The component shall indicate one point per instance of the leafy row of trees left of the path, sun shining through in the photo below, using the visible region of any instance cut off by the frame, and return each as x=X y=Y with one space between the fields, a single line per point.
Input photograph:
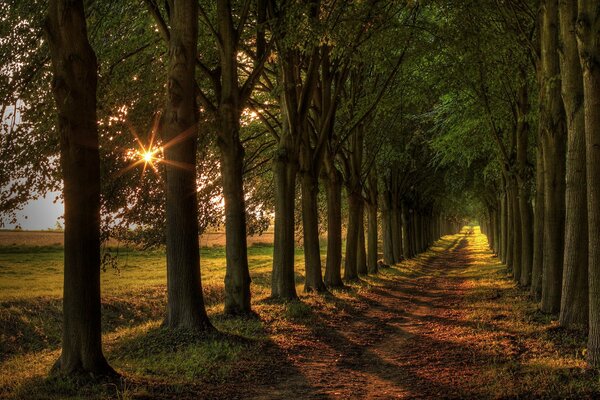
x=258 y=84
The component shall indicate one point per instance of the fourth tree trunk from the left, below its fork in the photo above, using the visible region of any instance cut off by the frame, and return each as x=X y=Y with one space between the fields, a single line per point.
x=285 y=168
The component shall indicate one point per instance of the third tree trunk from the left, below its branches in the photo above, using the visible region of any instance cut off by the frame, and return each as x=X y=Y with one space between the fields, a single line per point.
x=237 y=275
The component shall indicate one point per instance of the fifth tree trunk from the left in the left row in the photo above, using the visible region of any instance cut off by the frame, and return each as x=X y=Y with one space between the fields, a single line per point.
x=310 y=223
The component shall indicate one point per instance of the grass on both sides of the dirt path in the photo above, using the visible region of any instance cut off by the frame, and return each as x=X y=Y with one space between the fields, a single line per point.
x=528 y=355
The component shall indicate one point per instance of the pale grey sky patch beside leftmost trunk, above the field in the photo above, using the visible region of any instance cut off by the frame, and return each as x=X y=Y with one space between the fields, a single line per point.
x=38 y=214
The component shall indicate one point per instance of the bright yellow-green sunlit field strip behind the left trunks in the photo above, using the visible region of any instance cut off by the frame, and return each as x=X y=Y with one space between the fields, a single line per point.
x=33 y=271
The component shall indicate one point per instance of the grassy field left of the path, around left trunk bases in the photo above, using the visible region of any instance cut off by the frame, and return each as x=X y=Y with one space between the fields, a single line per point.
x=133 y=304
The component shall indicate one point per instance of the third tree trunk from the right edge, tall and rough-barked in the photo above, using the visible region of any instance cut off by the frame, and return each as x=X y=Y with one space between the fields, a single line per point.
x=552 y=120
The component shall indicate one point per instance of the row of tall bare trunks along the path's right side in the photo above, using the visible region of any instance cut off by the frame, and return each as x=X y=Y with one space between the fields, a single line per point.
x=543 y=218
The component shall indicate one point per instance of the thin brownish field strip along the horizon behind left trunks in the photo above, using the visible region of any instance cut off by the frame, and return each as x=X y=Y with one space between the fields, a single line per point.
x=50 y=238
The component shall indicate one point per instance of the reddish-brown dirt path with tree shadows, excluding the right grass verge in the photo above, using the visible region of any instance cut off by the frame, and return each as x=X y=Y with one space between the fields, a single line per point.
x=407 y=338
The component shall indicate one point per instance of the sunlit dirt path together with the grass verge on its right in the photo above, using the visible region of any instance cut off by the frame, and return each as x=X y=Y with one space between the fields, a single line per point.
x=446 y=325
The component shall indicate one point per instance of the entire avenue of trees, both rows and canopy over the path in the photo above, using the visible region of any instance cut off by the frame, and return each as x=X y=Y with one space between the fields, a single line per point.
x=392 y=122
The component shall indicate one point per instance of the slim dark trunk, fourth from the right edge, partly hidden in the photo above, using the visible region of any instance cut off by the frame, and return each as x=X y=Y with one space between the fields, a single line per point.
x=538 y=227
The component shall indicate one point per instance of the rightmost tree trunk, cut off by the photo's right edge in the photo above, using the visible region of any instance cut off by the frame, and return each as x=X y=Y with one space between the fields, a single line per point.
x=588 y=26
